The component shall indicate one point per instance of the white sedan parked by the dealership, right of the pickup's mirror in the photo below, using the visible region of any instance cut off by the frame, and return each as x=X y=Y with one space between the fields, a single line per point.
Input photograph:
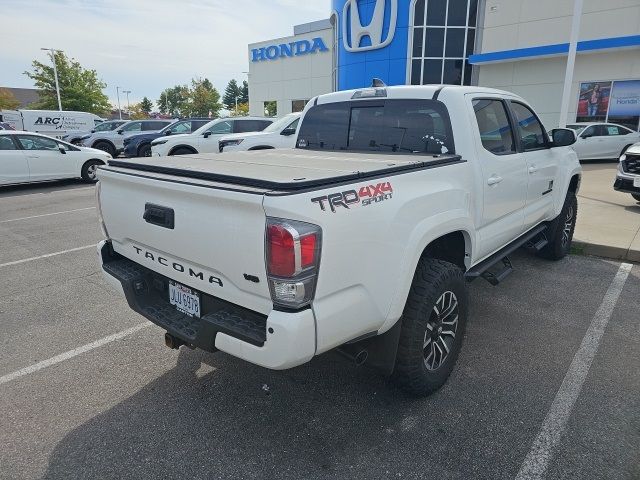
x=602 y=141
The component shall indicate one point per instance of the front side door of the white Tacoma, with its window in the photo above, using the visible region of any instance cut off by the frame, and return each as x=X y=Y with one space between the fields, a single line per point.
x=542 y=163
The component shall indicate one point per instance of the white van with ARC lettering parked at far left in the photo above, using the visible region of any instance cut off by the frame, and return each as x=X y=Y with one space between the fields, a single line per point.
x=50 y=122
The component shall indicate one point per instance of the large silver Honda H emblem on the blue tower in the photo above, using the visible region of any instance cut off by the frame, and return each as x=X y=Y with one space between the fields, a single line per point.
x=352 y=37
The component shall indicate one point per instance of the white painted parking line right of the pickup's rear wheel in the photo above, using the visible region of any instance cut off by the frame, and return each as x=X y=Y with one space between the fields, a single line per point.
x=537 y=460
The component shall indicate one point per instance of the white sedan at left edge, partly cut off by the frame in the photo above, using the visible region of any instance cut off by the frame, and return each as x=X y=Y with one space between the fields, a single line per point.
x=32 y=157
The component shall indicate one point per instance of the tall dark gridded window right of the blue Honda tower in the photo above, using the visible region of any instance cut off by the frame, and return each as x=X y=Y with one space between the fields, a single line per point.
x=443 y=37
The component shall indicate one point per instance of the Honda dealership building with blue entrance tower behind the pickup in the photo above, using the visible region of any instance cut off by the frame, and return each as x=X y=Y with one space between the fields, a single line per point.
x=520 y=46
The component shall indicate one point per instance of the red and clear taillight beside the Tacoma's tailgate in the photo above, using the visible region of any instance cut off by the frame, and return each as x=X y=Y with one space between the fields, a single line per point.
x=293 y=258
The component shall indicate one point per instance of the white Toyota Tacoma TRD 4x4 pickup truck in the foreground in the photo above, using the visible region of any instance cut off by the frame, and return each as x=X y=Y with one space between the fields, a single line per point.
x=362 y=238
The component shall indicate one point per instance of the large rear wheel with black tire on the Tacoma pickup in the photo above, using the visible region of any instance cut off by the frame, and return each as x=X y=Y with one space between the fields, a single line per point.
x=420 y=367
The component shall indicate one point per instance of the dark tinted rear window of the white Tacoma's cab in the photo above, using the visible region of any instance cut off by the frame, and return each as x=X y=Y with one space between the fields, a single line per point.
x=403 y=126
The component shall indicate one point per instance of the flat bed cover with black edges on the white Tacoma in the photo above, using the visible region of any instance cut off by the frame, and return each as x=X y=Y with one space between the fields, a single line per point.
x=282 y=170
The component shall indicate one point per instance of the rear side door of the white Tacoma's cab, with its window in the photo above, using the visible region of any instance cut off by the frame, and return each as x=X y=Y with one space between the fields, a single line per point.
x=504 y=175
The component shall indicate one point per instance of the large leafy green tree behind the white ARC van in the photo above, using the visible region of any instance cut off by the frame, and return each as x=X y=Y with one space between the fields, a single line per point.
x=80 y=89
